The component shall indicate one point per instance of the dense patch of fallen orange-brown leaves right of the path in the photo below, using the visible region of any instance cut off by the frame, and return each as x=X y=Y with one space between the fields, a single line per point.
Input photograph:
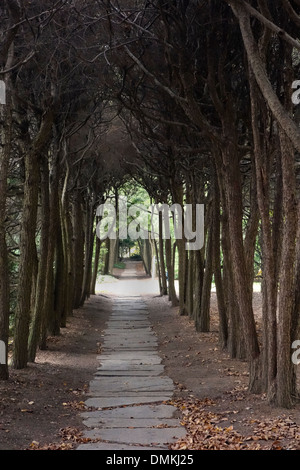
x=205 y=431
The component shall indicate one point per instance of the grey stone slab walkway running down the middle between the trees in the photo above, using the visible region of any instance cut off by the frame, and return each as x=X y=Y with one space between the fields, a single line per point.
x=129 y=389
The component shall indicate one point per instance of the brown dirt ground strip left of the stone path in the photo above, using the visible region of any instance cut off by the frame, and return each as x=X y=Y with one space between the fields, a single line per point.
x=40 y=405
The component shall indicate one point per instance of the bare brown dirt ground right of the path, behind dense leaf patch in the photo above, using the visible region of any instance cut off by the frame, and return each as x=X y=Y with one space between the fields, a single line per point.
x=206 y=375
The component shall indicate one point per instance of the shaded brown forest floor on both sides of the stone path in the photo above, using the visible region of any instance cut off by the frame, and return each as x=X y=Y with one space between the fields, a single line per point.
x=40 y=406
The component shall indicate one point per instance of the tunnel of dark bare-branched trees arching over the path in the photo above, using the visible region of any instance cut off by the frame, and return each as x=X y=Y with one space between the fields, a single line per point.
x=193 y=101
